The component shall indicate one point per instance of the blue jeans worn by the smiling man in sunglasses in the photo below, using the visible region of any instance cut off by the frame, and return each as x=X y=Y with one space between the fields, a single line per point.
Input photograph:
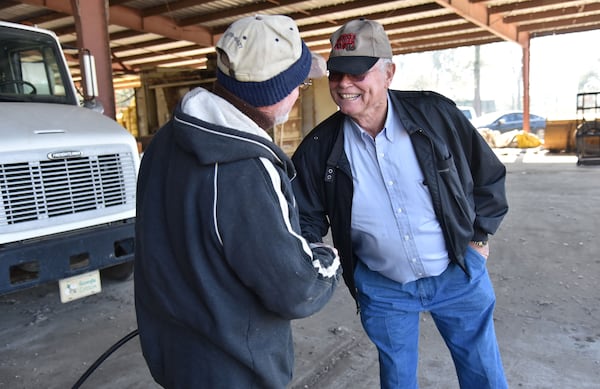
x=461 y=308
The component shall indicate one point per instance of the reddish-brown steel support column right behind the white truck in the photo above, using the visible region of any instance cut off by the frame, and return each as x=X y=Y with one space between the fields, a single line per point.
x=91 y=23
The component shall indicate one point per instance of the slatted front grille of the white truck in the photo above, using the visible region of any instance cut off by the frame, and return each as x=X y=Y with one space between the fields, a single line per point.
x=46 y=189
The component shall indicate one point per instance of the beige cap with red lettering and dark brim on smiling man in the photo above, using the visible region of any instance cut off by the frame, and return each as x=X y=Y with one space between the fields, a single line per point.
x=357 y=45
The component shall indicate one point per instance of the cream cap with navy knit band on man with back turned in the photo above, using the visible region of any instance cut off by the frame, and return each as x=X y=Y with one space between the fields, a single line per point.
x=262 y=59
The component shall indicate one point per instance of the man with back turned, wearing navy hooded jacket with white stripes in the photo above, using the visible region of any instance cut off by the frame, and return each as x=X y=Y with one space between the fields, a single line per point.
x=220 y=266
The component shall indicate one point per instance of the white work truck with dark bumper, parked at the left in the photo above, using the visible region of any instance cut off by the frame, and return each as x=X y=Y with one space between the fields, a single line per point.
x=67 y=173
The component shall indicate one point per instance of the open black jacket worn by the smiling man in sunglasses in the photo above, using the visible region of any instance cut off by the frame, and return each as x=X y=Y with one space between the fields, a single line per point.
x=464 y=176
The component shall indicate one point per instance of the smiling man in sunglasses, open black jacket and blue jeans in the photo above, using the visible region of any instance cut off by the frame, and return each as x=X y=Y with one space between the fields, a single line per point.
x=411 y=192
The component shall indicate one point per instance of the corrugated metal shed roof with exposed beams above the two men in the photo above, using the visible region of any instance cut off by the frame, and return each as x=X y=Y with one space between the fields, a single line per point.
x=146 y=34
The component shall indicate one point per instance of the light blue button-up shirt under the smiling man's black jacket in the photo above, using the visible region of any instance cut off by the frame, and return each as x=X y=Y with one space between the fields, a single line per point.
x=394 y=228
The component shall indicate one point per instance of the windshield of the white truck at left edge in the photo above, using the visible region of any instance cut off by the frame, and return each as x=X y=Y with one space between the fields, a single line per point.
x=31 y=68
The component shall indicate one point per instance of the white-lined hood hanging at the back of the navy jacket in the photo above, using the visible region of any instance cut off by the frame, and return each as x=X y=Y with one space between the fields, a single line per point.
x=215 y=131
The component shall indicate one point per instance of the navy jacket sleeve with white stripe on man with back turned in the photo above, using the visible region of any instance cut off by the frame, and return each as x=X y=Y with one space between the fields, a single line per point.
x=258 y=224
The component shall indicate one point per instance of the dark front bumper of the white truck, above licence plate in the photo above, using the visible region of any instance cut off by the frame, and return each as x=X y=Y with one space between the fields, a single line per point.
x=38 y=261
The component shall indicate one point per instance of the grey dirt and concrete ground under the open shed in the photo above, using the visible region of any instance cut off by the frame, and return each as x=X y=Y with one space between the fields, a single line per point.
x=544 y=263
